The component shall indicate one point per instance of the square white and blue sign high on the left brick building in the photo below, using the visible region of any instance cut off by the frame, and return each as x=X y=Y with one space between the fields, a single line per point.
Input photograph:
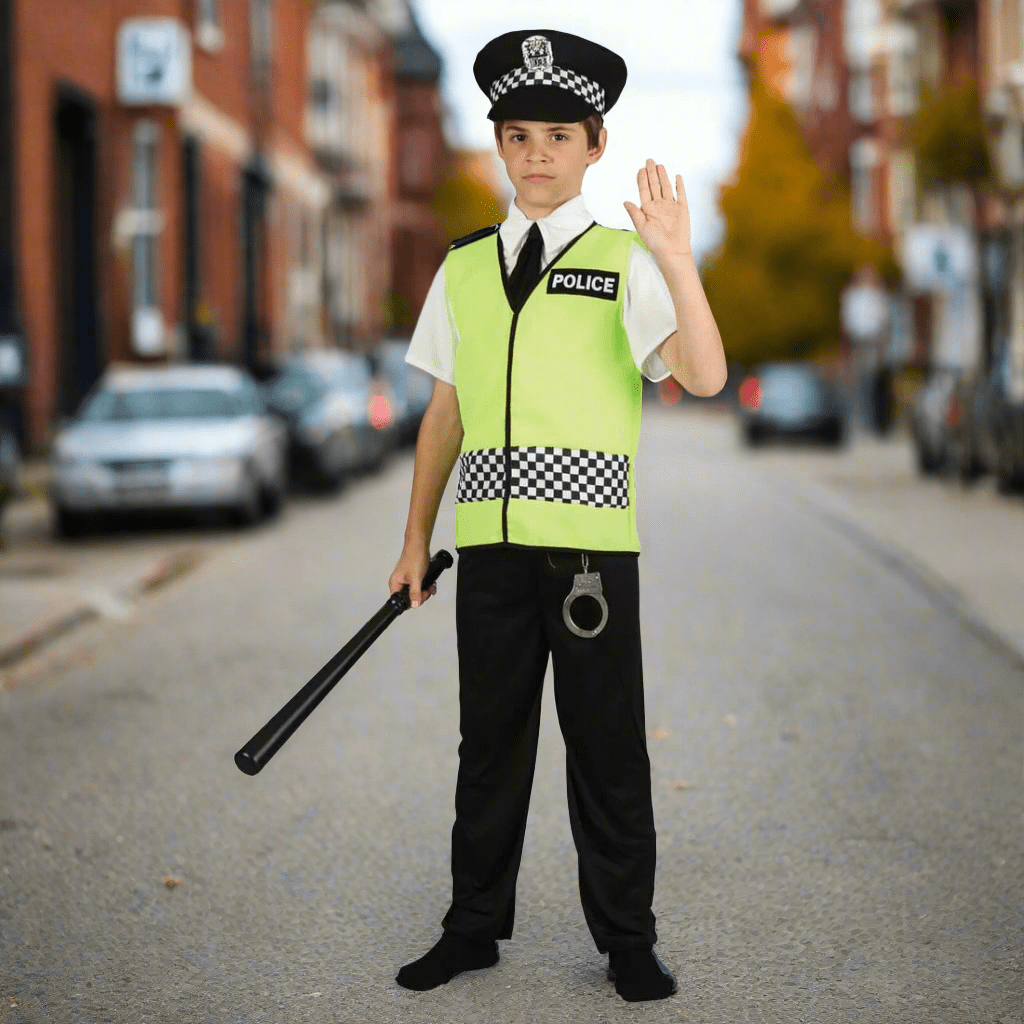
x=154 y=62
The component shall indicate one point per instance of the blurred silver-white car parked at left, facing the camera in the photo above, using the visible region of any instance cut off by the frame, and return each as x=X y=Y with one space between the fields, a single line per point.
x=178 y=438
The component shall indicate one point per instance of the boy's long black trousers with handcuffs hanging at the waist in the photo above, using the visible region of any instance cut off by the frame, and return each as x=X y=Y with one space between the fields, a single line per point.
x=509 y=619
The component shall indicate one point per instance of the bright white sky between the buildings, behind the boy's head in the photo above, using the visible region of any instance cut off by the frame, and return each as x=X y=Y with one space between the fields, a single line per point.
x=685 y=104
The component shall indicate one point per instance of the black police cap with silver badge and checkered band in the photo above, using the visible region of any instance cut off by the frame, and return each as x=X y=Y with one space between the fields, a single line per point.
x=543 y=75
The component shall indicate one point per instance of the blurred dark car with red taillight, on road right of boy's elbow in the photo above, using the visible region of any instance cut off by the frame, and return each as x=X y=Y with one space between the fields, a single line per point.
x=791 y=400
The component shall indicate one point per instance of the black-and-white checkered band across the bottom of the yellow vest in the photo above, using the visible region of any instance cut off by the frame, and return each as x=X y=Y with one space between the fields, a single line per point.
x=575 y=477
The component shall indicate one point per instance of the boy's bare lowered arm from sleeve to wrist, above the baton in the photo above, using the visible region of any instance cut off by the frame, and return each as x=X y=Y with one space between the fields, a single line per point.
x=438 y=449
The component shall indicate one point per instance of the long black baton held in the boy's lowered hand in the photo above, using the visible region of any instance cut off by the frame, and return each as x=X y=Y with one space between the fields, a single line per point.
x=252 y=758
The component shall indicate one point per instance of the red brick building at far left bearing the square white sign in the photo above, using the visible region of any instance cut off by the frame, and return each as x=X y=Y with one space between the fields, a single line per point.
x=167 y=203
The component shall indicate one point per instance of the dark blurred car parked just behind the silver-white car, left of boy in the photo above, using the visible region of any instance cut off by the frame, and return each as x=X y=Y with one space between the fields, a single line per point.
x=339 y=415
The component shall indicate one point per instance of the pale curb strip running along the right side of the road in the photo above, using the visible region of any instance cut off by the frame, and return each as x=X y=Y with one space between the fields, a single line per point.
x=946 y=595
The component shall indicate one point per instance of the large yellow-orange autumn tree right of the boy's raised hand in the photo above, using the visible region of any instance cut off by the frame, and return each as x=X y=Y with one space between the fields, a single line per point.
x=775 y=284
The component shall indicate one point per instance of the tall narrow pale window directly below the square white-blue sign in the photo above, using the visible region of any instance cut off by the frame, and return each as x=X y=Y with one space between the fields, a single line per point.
x=147 y=318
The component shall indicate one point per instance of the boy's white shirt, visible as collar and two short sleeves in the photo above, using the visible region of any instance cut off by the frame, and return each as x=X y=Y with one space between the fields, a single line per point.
x=649 y=314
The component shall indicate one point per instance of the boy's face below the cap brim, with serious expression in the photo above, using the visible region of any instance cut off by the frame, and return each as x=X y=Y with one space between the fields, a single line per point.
x=546 y=161
